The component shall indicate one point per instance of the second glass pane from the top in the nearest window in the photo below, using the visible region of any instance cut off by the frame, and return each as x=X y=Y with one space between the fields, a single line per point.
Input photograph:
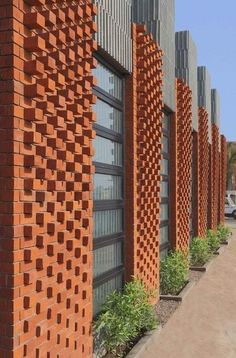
x=108 y=116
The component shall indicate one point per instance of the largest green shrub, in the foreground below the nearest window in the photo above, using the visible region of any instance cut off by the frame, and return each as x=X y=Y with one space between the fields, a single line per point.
x=125 y=315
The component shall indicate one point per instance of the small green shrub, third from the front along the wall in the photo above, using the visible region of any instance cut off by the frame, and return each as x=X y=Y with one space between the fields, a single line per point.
x=199 y=251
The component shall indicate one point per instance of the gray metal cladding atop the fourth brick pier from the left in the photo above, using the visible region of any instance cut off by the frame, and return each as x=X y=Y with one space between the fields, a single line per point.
x=204 y=93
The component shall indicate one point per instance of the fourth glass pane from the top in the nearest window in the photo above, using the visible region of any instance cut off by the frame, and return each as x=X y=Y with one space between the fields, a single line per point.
x=107 y=187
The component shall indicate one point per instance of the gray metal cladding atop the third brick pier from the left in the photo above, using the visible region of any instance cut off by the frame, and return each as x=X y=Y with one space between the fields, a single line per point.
x=186 y=67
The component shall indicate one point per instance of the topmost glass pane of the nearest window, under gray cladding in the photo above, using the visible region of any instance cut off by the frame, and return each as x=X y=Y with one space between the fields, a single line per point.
x=108 y=81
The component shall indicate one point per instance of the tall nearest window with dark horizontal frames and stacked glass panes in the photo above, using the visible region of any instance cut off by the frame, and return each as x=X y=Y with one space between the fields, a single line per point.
x=108 y=185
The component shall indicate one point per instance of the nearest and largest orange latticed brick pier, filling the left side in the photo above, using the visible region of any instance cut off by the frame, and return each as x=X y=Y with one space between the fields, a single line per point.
x=46 y=178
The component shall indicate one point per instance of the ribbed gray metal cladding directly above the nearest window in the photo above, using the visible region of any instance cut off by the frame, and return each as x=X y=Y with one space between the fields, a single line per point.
x=114 y=19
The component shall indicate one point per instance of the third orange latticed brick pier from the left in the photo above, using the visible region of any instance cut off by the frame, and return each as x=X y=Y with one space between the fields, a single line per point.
x=181 y=167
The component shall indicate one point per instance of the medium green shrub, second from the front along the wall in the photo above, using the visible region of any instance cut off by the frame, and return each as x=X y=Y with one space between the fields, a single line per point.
x=173 y=272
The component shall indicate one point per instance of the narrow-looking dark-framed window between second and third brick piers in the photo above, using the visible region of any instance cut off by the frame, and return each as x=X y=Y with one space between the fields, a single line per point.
x=165 y=164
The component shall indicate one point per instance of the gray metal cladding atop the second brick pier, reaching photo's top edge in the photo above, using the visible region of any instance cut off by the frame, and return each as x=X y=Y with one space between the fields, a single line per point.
x=159 y=17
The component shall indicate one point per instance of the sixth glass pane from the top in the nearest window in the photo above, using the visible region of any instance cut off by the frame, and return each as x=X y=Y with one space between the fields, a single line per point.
x=107 y=258
